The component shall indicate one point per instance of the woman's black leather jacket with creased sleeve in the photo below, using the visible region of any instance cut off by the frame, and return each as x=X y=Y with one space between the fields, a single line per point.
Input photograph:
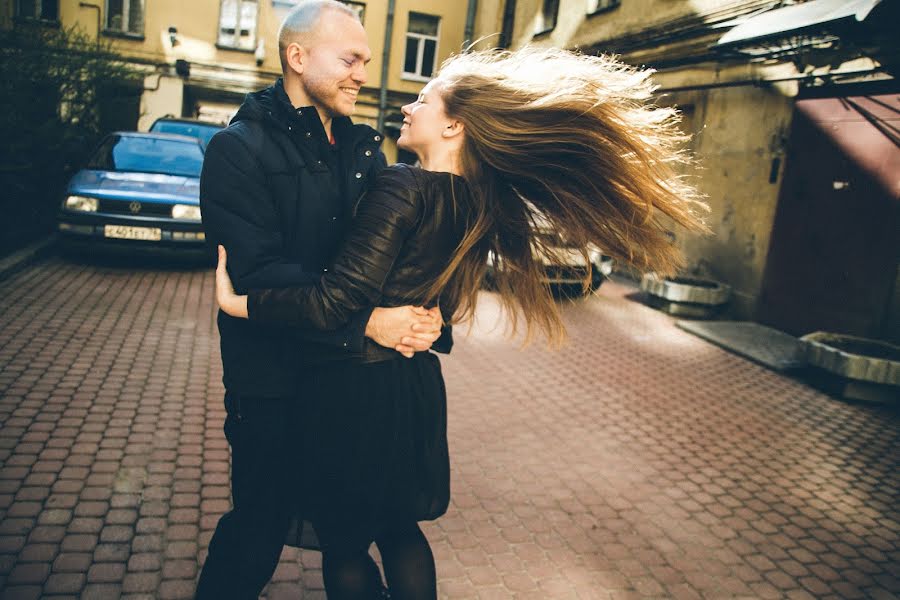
x=405 y=230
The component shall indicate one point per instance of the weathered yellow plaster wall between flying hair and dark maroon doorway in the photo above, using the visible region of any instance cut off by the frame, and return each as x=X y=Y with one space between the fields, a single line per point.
x=738 y=133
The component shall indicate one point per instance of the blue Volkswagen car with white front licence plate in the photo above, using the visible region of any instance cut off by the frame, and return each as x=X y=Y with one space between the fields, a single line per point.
x=137 y=190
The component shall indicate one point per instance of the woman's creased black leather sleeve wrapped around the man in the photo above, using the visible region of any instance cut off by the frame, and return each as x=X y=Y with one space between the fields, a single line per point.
x=385 y=217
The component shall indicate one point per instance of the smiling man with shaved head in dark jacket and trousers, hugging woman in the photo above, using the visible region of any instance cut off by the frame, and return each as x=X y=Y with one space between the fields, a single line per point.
x=278 y=190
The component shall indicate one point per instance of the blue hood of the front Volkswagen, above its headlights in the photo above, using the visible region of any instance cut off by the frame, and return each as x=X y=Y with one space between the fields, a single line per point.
x=145 y=187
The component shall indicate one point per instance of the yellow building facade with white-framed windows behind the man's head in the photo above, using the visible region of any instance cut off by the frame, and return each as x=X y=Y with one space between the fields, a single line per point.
x=201 y=57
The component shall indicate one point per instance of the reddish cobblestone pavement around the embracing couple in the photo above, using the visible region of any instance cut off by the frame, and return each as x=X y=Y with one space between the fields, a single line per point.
x=636 y=462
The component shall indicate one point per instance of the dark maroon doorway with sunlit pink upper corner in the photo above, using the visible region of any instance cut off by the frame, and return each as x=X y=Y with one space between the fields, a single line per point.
x=833 y=258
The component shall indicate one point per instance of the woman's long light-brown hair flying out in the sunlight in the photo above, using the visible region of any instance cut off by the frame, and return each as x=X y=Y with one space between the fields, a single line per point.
x=567 y=143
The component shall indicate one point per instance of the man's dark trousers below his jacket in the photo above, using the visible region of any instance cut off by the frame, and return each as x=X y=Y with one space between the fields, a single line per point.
x=265 y=470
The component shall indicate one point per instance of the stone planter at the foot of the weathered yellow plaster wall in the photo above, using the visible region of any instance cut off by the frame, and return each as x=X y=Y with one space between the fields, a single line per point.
x=686 y=296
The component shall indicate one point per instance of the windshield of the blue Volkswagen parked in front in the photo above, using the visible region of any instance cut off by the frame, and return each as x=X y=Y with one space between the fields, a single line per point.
x=148 y=155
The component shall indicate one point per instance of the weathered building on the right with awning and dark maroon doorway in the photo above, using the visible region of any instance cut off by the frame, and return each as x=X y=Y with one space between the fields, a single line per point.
x=750 y=76
